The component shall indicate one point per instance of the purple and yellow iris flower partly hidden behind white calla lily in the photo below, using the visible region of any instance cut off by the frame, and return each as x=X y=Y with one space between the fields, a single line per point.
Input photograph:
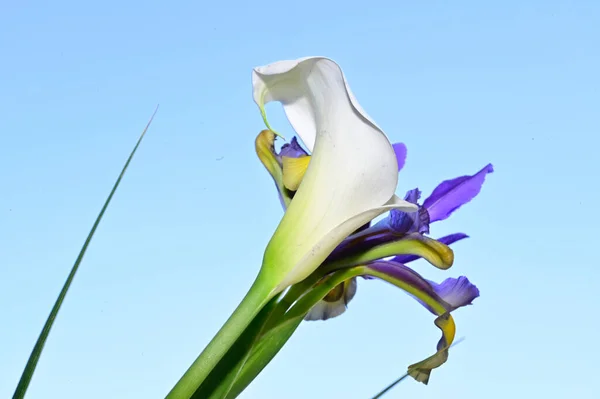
x=440 y=299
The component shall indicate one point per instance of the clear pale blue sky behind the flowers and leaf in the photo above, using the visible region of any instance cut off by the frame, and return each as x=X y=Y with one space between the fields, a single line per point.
x=515 y=83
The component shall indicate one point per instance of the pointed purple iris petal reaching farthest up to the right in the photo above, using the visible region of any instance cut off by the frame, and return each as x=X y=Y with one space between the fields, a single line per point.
x=452 y=194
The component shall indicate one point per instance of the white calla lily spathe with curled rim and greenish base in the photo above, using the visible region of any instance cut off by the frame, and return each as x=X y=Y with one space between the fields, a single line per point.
x=352 y=175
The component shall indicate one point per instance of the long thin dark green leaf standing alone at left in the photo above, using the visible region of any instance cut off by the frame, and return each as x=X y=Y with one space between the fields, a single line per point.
x=41 y=341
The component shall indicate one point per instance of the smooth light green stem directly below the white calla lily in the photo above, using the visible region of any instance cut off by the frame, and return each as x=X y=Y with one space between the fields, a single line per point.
x=257 y=297
